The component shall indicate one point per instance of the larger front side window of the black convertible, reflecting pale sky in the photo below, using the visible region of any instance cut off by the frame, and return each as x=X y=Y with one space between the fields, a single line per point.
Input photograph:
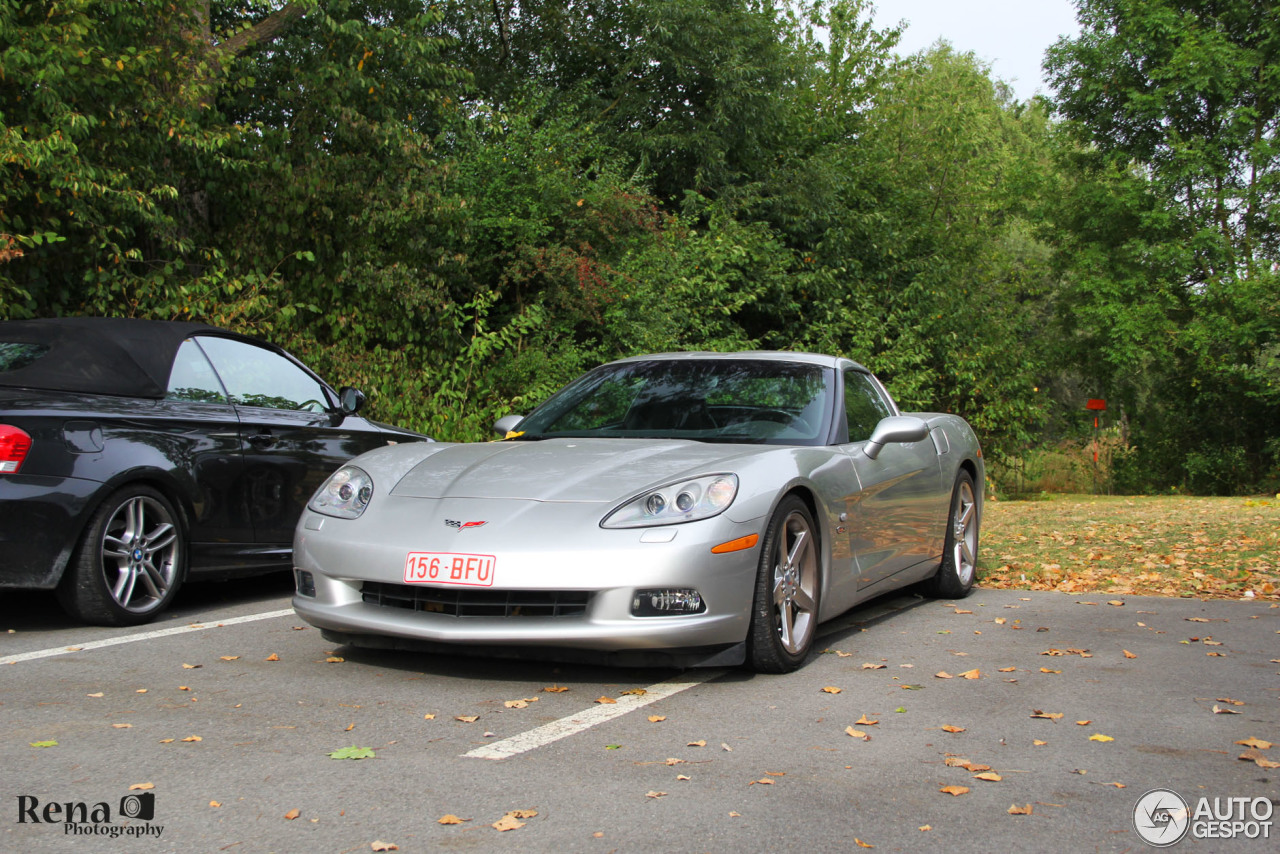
x=257 y=377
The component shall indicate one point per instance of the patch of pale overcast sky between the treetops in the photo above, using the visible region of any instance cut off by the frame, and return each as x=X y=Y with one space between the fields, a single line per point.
x=1012 y=35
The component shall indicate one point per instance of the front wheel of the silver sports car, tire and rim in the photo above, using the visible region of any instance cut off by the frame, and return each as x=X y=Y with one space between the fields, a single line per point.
x=788 y=588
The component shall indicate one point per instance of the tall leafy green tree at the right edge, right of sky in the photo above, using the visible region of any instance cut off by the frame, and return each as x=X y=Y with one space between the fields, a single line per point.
x=1177 y=106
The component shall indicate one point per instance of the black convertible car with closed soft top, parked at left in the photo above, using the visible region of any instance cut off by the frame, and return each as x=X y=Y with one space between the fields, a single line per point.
x=138 y=454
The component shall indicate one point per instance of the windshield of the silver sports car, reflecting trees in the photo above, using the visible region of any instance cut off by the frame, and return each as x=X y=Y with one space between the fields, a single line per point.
x=758 y=403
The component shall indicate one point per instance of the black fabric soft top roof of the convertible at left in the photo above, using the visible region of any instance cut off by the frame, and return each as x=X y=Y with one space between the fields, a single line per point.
x=100 y=355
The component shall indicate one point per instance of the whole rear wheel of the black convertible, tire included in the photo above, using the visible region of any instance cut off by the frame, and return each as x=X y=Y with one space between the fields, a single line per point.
x=130 y=563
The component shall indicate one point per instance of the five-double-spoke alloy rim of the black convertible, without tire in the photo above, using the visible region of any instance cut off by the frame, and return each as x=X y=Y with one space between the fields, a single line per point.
x=140 y=554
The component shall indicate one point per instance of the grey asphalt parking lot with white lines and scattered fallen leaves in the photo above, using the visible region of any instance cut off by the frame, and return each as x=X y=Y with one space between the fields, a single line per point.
x=1050 y=716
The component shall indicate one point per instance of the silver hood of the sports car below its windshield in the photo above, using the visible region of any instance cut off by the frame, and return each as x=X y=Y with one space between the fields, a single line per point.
x=564 y=471
